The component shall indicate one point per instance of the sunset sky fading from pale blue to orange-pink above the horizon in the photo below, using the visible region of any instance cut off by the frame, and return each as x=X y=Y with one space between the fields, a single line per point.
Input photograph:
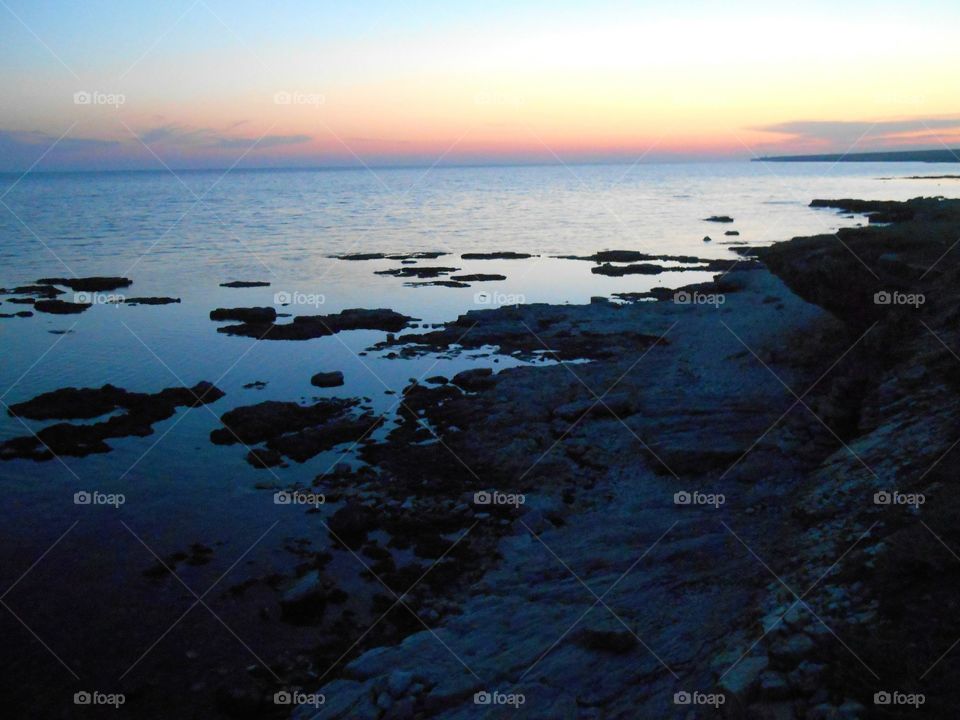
x=142 y=84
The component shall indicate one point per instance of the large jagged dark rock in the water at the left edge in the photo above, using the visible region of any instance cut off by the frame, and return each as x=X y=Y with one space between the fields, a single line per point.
x=140 y=411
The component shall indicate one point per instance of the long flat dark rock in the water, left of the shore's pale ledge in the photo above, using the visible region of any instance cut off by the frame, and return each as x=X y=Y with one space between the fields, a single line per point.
x=306 y=327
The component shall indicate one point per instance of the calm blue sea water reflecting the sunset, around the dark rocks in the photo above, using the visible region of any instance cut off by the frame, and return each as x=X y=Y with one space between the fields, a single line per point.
x=183 y=235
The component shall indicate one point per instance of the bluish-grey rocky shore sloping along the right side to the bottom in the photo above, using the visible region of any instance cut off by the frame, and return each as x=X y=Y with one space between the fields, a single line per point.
x=607 y=597
